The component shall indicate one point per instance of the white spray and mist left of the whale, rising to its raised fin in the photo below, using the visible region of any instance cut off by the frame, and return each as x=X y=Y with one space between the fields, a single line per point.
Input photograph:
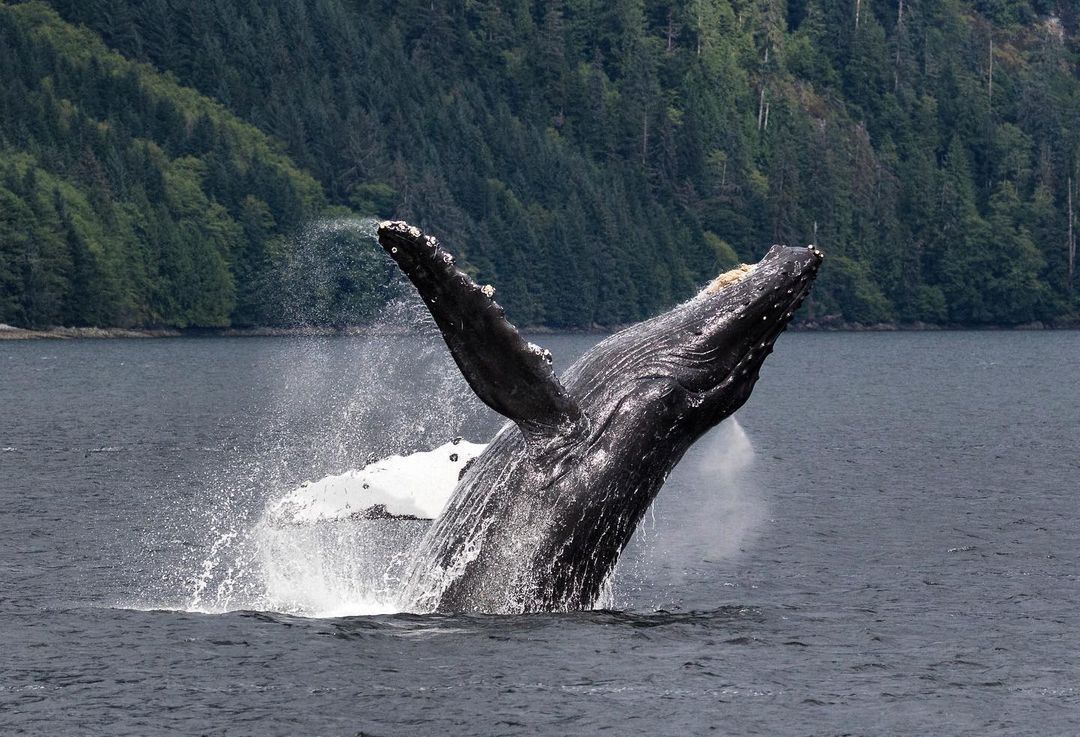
x=337 y=405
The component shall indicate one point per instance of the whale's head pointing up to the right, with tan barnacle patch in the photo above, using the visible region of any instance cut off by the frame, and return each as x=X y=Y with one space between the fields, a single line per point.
x=691 y=368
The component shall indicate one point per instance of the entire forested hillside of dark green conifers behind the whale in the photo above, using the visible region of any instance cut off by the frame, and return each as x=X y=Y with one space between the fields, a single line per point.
x=596 y=160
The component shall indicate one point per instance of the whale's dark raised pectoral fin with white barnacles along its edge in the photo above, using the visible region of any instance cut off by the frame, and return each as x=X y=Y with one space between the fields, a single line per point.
x=511 y=376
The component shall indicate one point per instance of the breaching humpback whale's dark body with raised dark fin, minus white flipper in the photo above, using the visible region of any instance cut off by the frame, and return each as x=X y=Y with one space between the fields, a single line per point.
x=538 y=520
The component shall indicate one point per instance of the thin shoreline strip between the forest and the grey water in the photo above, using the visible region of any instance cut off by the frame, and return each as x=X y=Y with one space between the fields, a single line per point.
x=11 y=333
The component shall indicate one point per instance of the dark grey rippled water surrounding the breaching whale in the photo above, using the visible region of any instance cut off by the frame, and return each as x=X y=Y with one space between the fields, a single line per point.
x=897 y=555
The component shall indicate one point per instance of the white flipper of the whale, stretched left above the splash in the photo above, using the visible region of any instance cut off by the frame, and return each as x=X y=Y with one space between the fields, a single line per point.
x=413 y=487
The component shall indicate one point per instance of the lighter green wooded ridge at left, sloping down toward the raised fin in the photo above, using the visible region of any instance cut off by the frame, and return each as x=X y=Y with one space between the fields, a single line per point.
x=129 y=200
